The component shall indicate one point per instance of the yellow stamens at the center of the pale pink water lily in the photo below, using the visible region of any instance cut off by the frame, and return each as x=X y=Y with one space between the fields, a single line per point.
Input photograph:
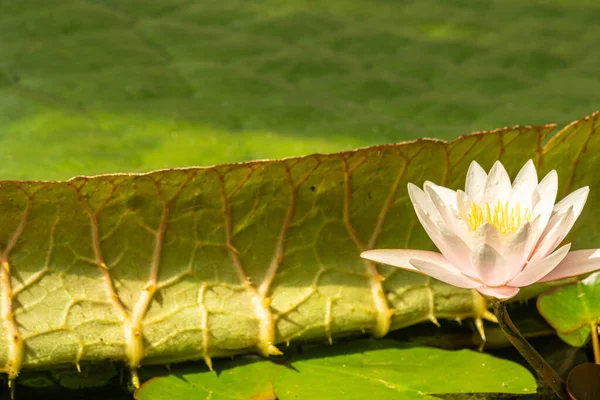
x=507 y=219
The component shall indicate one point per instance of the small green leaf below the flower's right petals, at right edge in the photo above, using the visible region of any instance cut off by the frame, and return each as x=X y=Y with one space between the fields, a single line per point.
x=572 y=309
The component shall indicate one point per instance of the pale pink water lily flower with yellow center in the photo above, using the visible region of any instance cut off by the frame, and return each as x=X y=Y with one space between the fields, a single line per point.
x=495 y=236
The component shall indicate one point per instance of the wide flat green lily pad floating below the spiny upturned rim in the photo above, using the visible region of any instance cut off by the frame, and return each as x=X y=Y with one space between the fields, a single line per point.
x=355 y=370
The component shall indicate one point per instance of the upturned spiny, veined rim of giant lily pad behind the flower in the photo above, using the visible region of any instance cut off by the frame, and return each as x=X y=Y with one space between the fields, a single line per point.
x=196 y=263
